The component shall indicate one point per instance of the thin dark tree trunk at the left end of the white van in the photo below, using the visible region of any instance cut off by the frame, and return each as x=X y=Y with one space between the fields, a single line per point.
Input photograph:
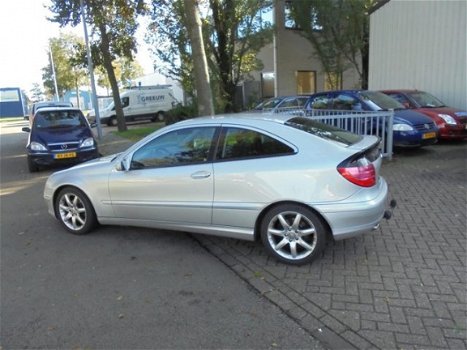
x=105 y=47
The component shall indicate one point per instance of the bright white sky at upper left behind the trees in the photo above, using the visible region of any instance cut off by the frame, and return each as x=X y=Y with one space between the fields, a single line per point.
x=24 y=35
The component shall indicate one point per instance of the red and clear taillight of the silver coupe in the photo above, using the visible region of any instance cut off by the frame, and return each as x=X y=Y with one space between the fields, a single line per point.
x=360 y=172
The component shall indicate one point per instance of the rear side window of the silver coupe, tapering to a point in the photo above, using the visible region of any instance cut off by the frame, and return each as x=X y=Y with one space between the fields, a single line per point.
x=243 y=143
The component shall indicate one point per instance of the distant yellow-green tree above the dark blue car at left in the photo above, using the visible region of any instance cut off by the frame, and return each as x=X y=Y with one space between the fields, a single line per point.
x=68 y=75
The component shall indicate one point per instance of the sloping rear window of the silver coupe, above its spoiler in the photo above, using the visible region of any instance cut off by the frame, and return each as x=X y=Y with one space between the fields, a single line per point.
x=324 y=131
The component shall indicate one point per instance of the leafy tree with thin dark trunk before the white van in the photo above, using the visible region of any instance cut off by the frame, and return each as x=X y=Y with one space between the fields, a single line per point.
x=113 y=24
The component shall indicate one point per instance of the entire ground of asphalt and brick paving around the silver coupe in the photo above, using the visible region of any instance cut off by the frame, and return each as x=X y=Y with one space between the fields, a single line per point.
x=402 y=286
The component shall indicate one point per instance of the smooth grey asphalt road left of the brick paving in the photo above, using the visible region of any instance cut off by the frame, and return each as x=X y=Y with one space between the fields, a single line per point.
x=118 y=287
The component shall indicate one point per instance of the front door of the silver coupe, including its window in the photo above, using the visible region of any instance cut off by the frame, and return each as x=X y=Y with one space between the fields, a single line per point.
x=170 y=179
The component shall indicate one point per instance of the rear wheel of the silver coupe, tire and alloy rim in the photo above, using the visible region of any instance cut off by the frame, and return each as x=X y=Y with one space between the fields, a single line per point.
x=291 y=241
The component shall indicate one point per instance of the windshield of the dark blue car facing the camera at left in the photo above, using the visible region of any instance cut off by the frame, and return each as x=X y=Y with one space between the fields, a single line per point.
x=58 y=119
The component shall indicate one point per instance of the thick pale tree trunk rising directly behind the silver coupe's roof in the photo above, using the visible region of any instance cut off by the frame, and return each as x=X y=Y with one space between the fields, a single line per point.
x=202 y=82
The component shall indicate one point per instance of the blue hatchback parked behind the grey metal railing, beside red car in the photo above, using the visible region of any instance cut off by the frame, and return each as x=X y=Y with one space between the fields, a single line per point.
x=410 y=129
